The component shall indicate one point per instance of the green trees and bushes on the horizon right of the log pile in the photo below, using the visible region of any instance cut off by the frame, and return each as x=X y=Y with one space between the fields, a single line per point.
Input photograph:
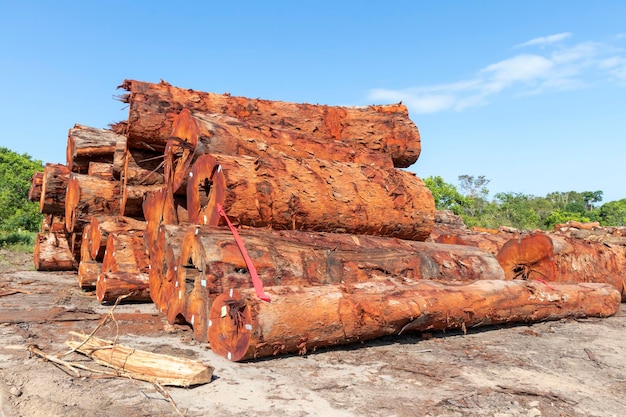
x=522 y=211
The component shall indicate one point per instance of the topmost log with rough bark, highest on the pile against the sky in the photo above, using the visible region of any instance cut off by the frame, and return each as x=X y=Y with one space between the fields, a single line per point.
x=382 y=128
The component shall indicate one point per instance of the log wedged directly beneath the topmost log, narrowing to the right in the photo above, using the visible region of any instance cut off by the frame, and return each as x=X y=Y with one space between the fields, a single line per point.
x=197 y=134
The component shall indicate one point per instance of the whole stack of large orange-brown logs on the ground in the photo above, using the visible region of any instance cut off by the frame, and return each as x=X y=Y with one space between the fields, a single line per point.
x=332 y=241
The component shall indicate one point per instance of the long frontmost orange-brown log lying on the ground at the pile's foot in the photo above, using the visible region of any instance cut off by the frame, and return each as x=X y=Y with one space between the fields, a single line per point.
x=301 y=319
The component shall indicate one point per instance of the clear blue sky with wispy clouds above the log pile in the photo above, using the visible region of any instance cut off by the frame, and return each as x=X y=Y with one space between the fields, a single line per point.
x=530 y=94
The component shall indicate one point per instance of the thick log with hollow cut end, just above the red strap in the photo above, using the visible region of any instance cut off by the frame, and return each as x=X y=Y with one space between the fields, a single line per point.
x=312 y=194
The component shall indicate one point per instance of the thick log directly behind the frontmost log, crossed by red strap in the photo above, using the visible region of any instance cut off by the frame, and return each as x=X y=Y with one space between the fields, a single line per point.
x=210 y=263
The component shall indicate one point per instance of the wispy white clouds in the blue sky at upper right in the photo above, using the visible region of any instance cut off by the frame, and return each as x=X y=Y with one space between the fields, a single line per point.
x=559 y=68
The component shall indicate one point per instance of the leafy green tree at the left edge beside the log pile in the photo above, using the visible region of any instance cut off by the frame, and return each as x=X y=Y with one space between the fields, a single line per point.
x=16 y=172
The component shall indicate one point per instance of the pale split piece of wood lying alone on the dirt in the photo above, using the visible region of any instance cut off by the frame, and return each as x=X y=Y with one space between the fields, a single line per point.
x=142 y=365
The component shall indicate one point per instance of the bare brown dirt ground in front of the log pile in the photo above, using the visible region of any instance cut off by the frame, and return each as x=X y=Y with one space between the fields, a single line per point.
x=560 y=368
